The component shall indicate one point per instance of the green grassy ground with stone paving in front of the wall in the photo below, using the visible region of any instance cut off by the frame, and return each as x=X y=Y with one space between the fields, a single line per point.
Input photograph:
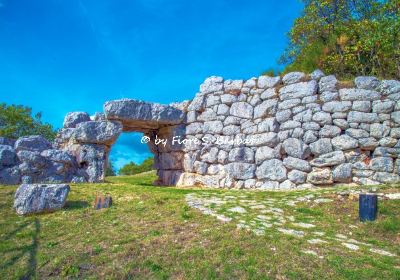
x=152 y=233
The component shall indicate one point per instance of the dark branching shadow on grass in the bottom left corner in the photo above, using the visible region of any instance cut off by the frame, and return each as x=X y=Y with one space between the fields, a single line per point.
x=30 y=249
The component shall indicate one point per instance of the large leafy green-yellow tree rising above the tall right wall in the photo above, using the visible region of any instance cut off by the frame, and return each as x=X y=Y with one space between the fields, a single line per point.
x=347 y=38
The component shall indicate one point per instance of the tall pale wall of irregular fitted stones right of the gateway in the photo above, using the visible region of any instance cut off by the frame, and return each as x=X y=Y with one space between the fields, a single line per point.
x=298 y=131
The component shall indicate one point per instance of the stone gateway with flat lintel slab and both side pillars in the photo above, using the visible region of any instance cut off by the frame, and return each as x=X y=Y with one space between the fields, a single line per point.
x=90 y=141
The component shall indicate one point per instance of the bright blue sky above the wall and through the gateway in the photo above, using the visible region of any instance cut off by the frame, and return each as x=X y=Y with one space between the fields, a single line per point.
x=58 y=56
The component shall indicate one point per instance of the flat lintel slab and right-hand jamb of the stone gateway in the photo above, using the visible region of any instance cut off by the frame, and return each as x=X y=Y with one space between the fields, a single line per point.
x=155 y=121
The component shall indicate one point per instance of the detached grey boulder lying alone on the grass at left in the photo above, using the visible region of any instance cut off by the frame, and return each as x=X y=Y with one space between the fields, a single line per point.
x=40 y=198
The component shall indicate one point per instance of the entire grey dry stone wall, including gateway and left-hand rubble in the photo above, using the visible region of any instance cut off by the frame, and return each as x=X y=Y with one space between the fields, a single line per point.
x=295 y=131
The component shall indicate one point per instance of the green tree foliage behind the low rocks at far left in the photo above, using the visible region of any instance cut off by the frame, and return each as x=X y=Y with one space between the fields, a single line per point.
x=17 y=121
